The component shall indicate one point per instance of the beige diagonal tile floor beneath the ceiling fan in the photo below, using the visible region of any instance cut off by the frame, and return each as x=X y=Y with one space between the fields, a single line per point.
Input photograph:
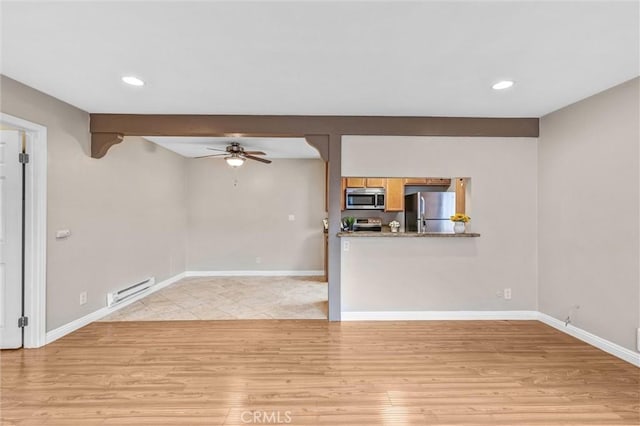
x=229 y=298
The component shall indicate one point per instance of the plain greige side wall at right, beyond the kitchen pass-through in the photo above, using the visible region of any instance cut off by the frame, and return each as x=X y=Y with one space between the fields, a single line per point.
x=588 y=213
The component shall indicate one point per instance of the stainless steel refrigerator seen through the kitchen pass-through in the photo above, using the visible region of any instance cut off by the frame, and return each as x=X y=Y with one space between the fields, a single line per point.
x=429 y=211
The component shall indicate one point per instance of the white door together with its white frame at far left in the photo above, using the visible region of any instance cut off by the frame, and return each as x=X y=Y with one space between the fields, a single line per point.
x=24 y=213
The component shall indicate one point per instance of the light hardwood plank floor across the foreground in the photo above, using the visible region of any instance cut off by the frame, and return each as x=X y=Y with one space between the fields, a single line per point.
x=318 y=373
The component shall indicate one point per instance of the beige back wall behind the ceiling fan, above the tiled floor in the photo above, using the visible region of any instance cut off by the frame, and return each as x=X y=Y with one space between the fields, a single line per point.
x=238 y=215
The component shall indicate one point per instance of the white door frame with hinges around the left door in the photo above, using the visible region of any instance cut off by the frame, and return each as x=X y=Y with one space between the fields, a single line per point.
x=35 y=243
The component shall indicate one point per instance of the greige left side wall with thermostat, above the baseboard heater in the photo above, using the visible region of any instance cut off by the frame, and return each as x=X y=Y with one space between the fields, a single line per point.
x=125 y=211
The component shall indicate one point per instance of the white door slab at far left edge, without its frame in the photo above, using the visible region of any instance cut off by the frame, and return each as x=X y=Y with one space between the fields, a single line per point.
x=10 y=239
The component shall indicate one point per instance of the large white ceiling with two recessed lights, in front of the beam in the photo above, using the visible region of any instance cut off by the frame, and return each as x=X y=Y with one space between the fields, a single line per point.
x=322 y=57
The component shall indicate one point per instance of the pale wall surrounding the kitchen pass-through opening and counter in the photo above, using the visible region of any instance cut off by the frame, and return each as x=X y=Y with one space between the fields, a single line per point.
x=388 y=274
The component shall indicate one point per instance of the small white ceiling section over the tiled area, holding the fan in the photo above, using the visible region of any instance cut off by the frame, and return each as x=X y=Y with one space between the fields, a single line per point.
x=273 y=147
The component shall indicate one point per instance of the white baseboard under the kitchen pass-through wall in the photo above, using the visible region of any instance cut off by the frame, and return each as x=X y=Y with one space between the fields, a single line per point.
x=438 y=315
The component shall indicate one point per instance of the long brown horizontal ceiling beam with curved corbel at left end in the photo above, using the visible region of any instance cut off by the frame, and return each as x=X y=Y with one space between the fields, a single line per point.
x=298 y=126
